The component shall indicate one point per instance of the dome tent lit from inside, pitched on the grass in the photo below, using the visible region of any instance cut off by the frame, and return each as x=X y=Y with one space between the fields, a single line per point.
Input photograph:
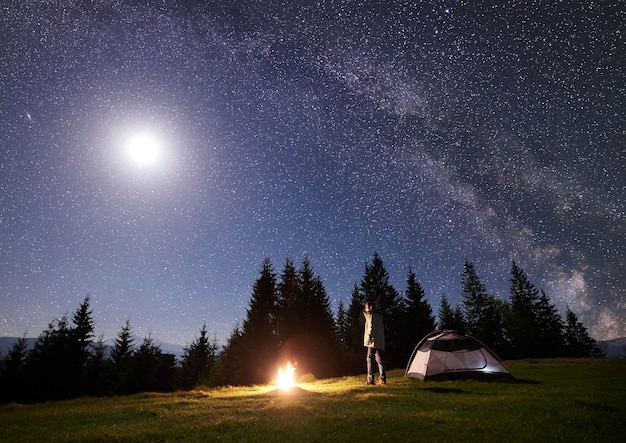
x=446 y=355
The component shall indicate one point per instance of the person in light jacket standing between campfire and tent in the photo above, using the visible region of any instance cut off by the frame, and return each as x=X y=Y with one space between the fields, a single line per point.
x=374 y=341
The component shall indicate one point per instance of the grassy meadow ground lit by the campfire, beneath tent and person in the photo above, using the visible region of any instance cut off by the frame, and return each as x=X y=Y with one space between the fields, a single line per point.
x=550 y=400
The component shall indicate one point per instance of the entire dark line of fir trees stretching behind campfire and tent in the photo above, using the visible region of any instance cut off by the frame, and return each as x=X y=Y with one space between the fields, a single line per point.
x=289 y=319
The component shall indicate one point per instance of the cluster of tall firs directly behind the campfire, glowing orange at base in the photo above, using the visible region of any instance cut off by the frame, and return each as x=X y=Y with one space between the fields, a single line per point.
x=290 y=320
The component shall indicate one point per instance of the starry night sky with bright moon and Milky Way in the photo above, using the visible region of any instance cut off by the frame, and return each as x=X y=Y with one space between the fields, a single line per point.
x=153 y=153
